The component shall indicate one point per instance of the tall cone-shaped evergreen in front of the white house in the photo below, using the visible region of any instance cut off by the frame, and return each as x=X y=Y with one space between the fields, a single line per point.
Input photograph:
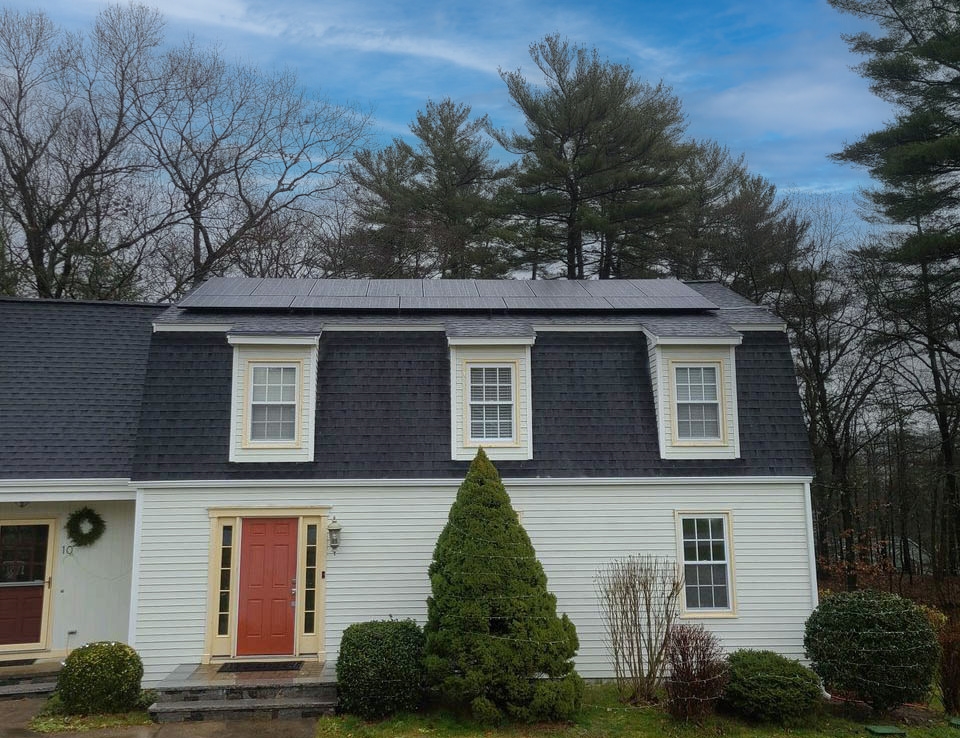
x=494 y=642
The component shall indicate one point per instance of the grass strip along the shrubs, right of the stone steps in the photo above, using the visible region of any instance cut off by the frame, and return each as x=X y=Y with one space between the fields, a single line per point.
x=603 y=717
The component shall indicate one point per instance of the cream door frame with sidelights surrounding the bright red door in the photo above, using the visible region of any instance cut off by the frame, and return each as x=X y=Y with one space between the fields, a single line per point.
x=219 y=646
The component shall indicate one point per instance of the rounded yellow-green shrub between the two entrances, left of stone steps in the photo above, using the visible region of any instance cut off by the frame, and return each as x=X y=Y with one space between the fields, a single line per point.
x=100 y=678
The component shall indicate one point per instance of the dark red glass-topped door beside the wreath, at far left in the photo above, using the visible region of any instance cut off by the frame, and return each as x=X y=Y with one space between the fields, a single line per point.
x=24 y=564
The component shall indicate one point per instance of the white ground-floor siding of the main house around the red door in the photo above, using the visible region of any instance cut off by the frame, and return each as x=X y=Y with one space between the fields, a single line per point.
x=390 y=529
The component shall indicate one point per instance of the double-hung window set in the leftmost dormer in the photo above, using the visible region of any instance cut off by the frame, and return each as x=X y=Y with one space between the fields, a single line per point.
x=273 y=403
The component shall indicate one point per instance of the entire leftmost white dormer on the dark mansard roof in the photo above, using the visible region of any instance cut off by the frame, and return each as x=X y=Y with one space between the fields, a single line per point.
x=274 y=398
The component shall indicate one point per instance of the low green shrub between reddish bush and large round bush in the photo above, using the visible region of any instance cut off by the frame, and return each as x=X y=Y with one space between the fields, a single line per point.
x=766 y=686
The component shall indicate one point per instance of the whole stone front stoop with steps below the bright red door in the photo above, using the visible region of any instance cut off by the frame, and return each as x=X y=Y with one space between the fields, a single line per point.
x=205 y=694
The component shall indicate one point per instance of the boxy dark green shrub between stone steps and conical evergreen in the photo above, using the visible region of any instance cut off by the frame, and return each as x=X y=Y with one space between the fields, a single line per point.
x=380 y=668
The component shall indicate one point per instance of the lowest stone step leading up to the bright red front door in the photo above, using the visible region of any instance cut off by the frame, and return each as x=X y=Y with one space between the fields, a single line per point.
x=285 y=708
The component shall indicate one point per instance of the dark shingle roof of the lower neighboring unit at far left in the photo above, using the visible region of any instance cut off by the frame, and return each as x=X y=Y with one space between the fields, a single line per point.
x=71 y=378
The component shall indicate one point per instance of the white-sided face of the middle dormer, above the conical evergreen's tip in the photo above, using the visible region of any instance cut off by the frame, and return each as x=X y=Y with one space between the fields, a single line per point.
x=514 y=433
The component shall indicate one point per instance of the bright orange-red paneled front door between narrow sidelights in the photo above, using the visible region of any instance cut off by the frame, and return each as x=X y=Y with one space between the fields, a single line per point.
x=268 y=576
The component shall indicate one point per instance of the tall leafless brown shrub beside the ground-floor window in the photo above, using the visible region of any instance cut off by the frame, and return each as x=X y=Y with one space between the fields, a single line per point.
x=638 y=601
